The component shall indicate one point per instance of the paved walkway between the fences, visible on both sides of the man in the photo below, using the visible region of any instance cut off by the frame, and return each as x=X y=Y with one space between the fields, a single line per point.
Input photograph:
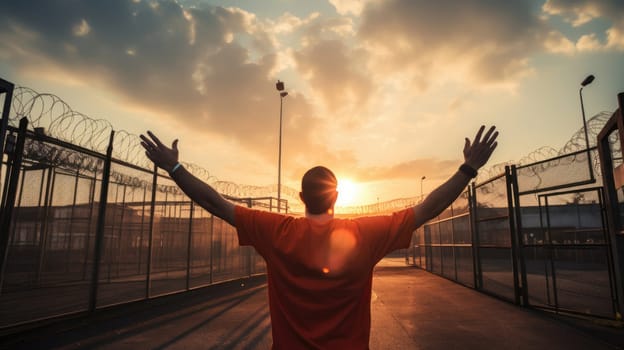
x=411 y=309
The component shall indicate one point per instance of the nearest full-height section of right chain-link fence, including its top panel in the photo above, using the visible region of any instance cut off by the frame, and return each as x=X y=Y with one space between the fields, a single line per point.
x=563 y=236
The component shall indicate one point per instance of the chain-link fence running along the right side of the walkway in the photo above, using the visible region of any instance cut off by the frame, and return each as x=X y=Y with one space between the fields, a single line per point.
x=534 y=235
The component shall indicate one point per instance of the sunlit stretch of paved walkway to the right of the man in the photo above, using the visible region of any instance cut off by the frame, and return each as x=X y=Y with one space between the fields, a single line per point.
x=424 y=311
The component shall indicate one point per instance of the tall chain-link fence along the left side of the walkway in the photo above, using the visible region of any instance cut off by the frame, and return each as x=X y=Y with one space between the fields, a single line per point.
x=72 y=250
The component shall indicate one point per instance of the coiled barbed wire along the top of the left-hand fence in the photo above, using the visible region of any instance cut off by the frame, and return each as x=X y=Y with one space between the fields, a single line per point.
x=60 y=121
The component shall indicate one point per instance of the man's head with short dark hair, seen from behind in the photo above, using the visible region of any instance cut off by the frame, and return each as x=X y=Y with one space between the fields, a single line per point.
x=318 y=190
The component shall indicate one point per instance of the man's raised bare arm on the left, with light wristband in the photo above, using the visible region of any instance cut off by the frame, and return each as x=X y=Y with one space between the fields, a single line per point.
x=199 y=191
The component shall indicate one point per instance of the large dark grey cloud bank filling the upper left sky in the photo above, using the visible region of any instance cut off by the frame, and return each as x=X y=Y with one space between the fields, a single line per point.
x=187 y=63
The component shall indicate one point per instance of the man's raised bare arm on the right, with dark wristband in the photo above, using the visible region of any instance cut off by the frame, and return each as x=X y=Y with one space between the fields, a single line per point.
x=476 y=154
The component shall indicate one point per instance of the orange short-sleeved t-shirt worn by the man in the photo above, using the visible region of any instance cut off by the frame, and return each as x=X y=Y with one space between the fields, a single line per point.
x=320 y=274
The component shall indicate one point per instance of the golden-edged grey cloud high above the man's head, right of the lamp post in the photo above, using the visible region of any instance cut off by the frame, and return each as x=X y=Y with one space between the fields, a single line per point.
x=332 y=65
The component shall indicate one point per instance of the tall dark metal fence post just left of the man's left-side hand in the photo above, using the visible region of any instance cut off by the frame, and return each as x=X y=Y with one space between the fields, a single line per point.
x=101 y=221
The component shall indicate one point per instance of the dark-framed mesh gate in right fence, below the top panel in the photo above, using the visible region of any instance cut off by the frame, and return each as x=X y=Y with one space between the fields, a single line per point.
x=567 y=261
